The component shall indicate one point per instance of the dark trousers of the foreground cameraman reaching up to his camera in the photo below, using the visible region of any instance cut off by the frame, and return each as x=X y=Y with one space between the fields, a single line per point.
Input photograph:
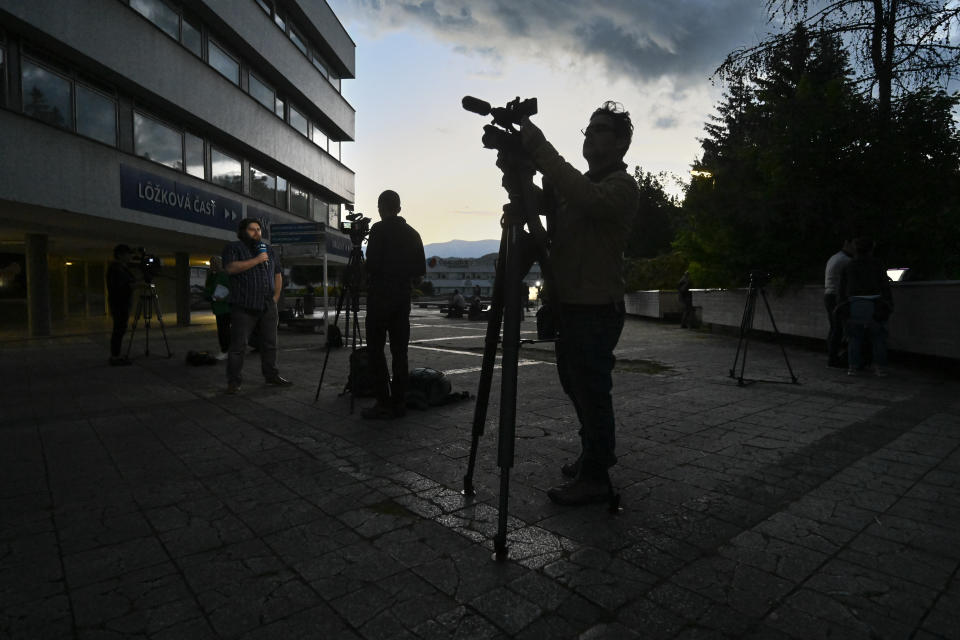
x=585 y=360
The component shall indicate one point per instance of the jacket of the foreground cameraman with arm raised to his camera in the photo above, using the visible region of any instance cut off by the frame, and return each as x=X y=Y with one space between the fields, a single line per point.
x=590 y=229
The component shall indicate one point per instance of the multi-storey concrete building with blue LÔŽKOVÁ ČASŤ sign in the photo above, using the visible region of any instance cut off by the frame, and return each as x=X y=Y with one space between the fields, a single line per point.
x=161 y=123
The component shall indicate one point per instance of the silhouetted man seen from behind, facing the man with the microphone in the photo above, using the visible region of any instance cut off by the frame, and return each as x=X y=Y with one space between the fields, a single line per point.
x=395 y=263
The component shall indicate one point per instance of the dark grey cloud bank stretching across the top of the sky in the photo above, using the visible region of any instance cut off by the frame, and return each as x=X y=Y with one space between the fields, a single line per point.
x=645 y=39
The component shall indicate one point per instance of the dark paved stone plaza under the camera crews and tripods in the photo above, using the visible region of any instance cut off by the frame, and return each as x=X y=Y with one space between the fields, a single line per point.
x=142 y=502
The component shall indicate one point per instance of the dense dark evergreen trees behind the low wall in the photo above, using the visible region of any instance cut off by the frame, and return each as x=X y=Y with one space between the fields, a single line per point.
x=796 y=164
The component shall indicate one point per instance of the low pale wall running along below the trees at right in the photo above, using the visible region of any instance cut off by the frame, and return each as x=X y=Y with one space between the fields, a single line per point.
x=925 y=318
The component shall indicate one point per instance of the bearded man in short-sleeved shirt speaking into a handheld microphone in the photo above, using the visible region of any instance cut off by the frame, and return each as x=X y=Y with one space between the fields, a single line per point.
x=256 y=282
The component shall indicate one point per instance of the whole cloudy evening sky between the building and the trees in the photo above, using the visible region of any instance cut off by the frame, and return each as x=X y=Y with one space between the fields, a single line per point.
x=416 y=59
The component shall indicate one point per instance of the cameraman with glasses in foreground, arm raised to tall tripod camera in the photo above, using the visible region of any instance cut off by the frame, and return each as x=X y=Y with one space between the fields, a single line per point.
x=589 y=228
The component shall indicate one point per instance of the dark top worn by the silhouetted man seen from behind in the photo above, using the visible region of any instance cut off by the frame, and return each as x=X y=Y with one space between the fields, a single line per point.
x=394 y=257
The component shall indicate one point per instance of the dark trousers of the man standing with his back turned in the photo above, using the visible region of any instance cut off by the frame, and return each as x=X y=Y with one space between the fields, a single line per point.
x=386 y=315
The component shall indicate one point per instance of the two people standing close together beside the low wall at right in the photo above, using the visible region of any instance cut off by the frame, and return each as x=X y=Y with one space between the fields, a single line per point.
x=859 y=302
